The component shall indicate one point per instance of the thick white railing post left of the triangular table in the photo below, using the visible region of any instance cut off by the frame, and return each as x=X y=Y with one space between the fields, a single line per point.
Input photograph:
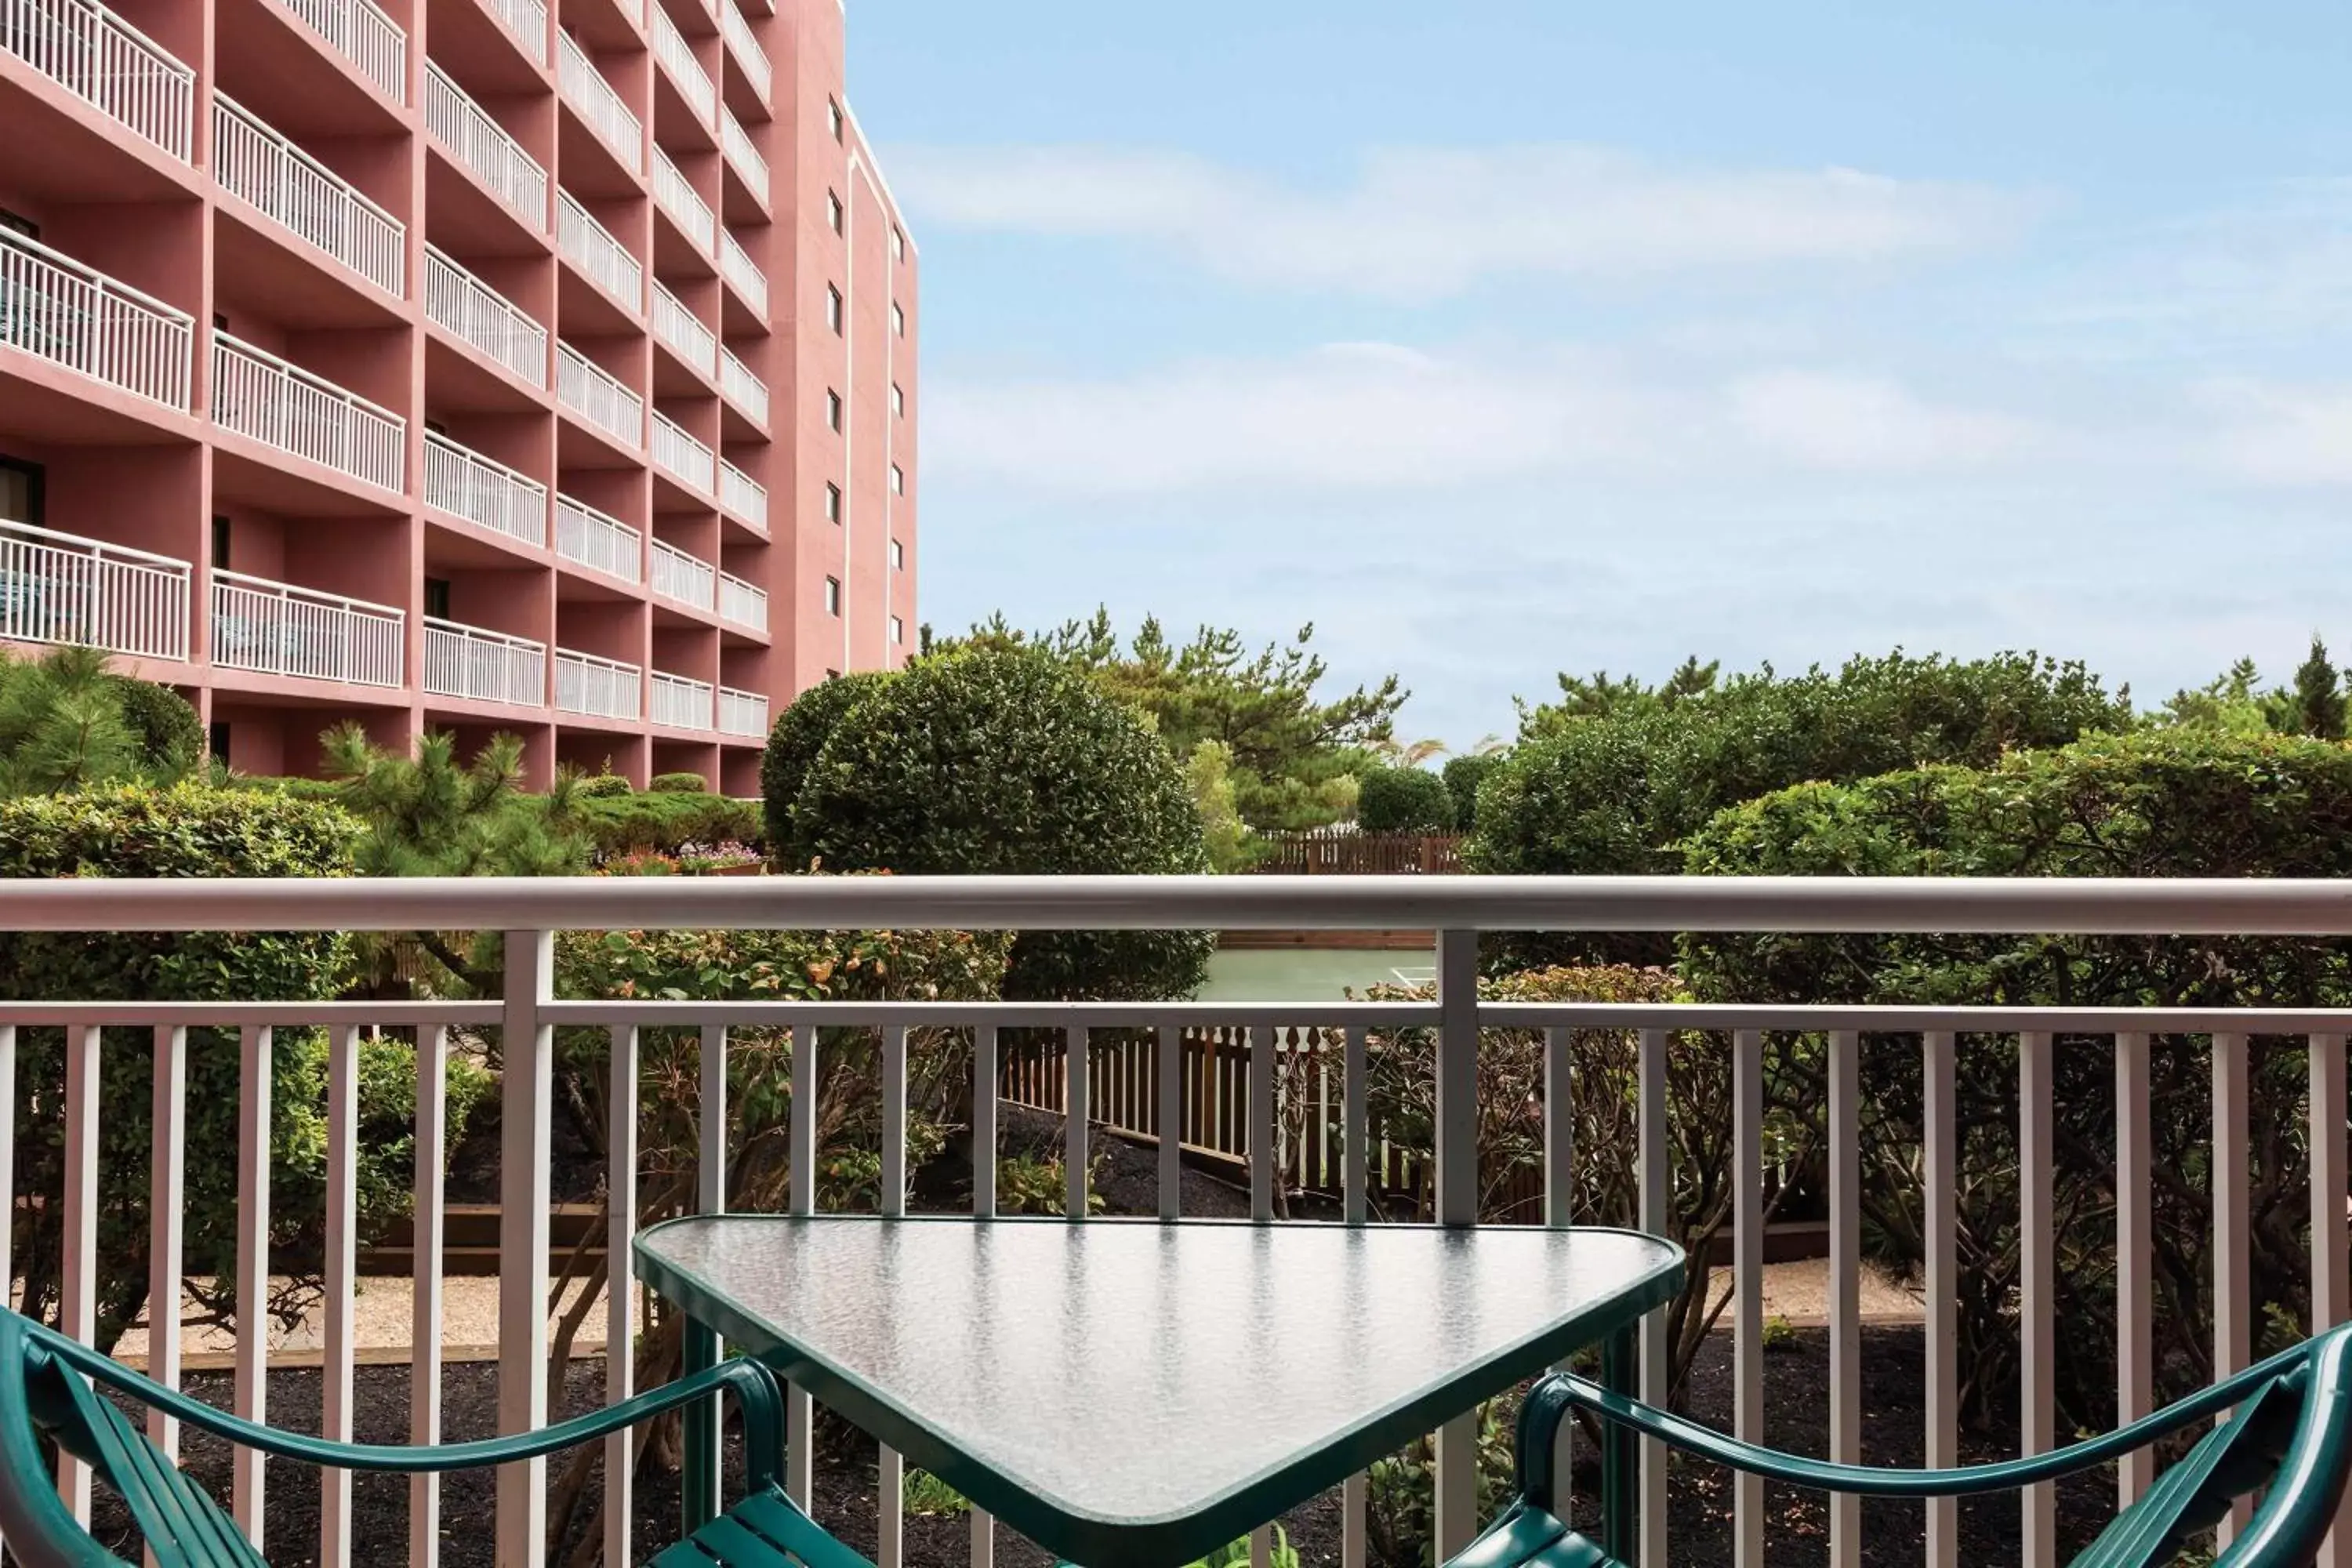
x=523 y=1235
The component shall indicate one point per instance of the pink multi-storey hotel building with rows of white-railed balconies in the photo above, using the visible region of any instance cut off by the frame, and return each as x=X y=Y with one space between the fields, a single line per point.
x=469 y=366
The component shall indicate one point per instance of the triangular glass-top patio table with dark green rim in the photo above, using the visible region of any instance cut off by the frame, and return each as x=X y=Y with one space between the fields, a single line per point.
x=1142 y=1393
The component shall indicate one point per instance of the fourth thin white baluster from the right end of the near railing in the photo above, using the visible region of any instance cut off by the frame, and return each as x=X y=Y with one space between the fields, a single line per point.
x=2038 y=1315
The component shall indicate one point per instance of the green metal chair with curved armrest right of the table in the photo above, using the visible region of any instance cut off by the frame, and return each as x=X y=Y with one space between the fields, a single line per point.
x=2290 y=1435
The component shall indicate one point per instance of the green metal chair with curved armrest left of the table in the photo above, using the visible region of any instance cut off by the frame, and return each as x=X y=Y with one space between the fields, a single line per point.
x=51 y=1391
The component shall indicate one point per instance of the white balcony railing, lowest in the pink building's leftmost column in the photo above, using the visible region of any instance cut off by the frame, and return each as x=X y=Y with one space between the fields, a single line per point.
x=79 y=591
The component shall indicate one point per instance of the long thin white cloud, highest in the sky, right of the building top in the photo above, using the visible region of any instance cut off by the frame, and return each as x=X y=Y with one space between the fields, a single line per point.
x=1434 y=222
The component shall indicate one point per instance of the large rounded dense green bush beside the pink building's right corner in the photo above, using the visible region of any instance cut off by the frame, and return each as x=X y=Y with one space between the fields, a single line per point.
x=1008 y=760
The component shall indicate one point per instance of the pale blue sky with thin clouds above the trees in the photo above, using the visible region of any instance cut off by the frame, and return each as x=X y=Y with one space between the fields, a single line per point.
x=1506 y=337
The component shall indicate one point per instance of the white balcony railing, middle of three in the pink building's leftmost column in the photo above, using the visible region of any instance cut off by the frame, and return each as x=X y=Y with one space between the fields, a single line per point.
x=67 y=314
